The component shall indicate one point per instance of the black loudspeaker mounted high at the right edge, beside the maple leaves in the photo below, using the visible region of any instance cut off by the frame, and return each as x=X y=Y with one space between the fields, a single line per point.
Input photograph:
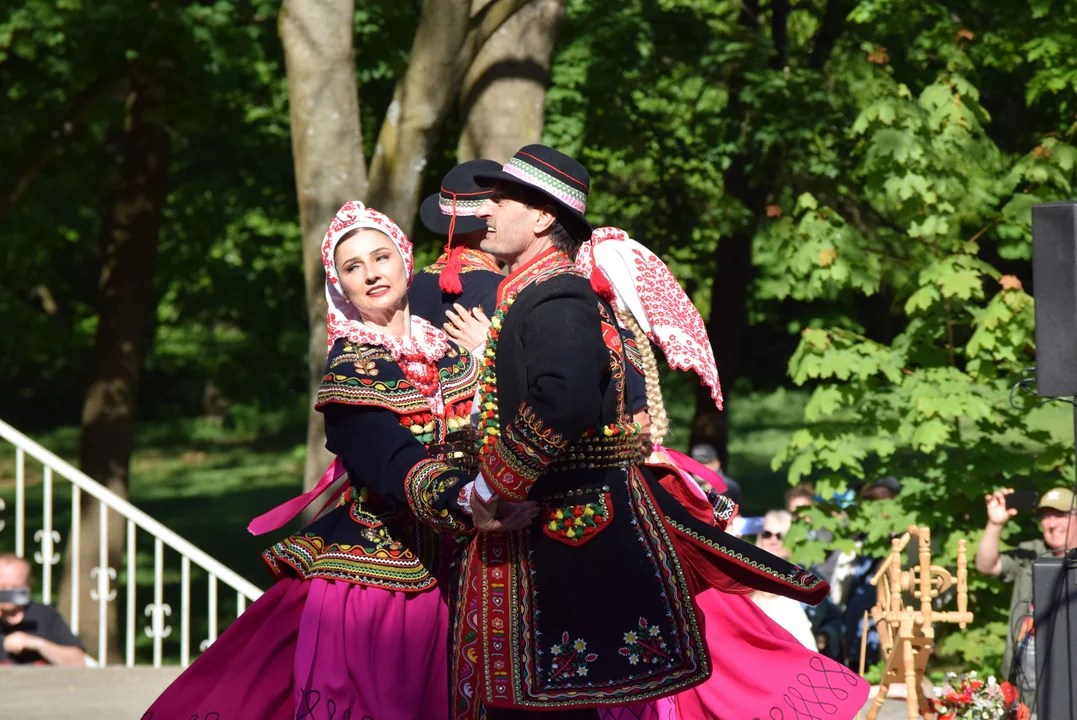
x=1055 y=276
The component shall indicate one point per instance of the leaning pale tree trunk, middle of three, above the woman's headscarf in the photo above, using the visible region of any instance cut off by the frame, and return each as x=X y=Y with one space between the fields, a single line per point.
x=446 y=44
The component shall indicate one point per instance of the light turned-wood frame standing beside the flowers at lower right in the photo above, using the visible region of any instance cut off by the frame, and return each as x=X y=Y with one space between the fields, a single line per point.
x=907 y=633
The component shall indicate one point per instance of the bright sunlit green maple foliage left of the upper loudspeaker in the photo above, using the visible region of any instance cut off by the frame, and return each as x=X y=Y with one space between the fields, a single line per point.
x=941 y=209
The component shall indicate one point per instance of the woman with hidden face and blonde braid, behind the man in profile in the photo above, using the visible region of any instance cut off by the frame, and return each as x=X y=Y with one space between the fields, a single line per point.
x=761 y=671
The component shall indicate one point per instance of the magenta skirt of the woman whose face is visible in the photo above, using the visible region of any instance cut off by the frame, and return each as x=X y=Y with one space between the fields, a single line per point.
x=317 y=650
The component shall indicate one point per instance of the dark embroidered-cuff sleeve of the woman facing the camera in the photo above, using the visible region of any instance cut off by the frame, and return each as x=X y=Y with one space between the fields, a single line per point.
x=386 y=458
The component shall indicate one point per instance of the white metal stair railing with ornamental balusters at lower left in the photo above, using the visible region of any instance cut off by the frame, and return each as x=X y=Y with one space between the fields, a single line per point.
x=105 y=578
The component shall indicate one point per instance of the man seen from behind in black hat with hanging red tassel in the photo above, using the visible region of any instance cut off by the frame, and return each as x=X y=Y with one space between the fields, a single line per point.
x=464 y=275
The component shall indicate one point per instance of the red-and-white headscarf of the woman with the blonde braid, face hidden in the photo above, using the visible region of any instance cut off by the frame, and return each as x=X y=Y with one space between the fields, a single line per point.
x=624 y=272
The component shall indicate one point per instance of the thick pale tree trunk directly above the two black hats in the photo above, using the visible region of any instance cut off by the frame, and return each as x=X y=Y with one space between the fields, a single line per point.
x=503 y=95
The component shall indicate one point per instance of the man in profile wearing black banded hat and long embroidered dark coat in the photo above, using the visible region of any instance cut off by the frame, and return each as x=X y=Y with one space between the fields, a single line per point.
x=592 y=608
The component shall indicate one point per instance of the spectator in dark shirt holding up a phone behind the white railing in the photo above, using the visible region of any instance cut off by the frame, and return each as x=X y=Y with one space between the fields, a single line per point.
x=34 y=634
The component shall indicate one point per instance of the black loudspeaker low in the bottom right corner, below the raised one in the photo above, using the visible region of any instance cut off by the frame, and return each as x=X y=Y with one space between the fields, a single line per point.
x=1055 y=600
